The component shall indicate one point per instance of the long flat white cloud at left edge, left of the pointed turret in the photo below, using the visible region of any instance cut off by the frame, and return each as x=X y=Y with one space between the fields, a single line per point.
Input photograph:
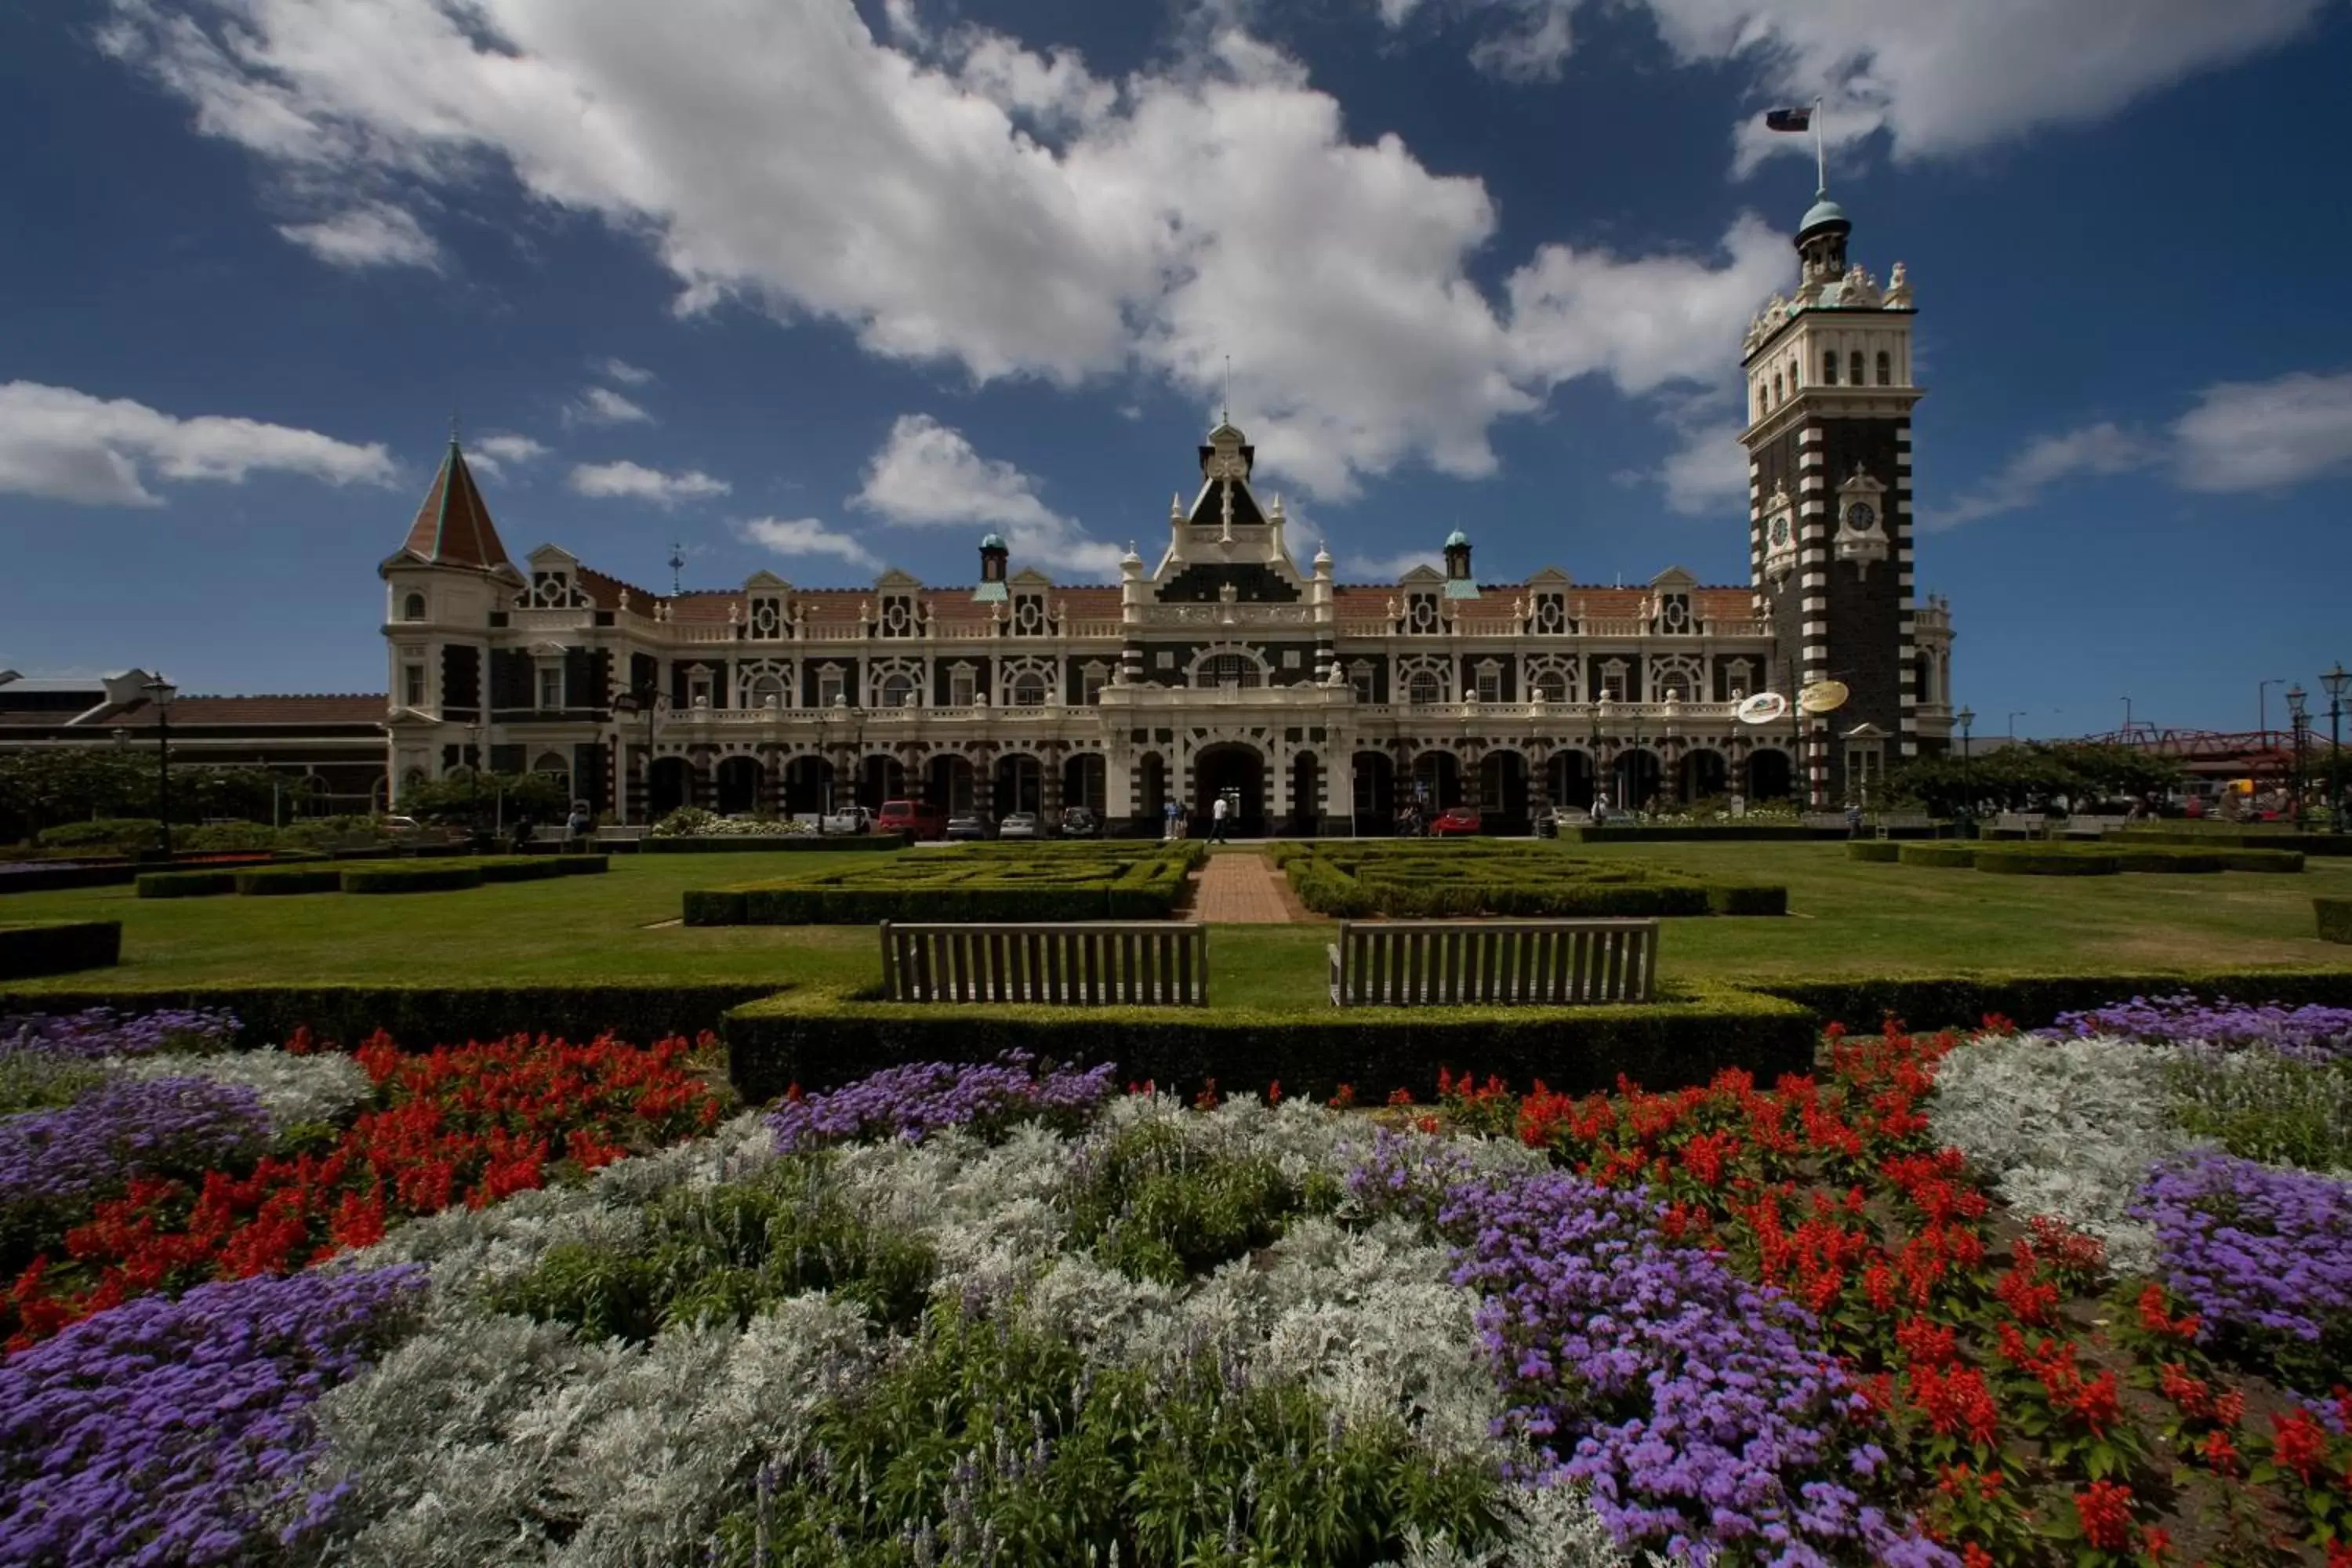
x=67 y=445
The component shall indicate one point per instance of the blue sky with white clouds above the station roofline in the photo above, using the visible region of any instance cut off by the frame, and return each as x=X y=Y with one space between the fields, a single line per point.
x=824 y=286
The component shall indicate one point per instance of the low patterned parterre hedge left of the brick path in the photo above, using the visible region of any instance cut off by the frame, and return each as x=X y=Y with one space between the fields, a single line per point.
x=1048 y=885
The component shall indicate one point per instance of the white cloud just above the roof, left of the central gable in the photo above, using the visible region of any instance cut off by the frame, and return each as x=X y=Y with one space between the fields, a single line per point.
x=930 y=476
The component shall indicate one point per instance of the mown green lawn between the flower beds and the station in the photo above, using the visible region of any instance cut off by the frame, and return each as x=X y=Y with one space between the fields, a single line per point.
x=1845 y=920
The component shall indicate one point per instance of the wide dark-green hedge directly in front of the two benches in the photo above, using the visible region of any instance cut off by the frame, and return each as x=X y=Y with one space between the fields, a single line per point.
x=817 y=1038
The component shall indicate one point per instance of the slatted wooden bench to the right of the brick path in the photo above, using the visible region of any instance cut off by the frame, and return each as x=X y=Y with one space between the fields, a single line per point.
x=1528 y=963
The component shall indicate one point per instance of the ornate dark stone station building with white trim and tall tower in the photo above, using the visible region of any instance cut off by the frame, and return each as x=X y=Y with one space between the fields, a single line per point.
x=1224 y=664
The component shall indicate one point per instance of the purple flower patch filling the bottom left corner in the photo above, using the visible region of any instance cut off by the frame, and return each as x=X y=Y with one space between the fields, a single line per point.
x=163 y=1430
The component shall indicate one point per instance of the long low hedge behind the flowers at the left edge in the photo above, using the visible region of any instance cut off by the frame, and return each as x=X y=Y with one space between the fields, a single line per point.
x=425 y=1017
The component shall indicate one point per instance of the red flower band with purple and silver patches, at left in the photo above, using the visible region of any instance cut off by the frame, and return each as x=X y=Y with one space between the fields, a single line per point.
x=138 y=1170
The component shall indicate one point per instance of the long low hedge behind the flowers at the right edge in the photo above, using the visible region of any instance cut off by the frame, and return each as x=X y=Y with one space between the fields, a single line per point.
x=1960 y=1003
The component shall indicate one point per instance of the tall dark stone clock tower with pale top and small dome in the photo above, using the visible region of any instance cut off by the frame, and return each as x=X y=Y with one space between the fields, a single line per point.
x=1831 y=507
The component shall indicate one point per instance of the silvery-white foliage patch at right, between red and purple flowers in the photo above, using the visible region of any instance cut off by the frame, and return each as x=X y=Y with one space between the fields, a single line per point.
x=2066 y=1127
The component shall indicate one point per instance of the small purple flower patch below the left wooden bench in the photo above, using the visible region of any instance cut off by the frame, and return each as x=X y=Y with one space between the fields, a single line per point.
x=918 y=1099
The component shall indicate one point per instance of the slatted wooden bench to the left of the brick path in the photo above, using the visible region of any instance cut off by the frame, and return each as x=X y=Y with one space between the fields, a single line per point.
x=1062 y=965
